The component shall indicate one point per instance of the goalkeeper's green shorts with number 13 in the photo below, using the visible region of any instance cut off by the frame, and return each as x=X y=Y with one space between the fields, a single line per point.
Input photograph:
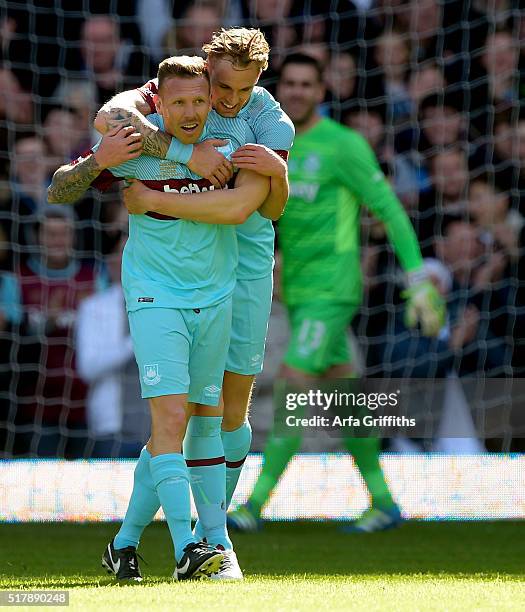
x=318 y=336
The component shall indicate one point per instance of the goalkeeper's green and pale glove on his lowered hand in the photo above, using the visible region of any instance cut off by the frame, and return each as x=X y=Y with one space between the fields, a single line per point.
x=424 y=306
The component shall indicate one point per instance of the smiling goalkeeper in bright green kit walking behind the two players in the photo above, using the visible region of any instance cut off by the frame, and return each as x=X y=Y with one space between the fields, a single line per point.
x=332 y=173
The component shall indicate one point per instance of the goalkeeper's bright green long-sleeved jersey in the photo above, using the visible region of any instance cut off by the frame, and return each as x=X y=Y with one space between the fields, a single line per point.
x=333 y=172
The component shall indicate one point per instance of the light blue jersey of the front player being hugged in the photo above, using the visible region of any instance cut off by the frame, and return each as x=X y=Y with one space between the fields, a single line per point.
x=174 y=263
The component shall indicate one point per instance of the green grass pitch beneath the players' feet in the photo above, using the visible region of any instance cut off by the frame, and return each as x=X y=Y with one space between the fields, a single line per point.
x=288 y=566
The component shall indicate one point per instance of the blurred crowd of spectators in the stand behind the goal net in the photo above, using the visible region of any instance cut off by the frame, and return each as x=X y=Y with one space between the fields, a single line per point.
x=436 y=87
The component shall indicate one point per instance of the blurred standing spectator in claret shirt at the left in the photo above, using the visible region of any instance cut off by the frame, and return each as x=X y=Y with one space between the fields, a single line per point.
x=51 y=394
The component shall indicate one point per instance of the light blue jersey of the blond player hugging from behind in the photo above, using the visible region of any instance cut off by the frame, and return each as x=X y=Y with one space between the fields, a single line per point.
x=273 y=128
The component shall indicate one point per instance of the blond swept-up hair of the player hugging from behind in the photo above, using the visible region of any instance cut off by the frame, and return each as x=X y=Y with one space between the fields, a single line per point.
x=240 y=45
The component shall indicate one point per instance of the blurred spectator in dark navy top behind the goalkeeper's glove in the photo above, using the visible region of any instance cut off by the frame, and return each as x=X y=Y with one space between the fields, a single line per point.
x=468 y=343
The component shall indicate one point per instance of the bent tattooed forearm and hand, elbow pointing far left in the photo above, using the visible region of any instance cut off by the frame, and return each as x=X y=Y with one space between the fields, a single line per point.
x=72 y=180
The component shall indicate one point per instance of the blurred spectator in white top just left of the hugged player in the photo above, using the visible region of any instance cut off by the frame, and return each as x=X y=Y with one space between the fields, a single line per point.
x=117 y=417
